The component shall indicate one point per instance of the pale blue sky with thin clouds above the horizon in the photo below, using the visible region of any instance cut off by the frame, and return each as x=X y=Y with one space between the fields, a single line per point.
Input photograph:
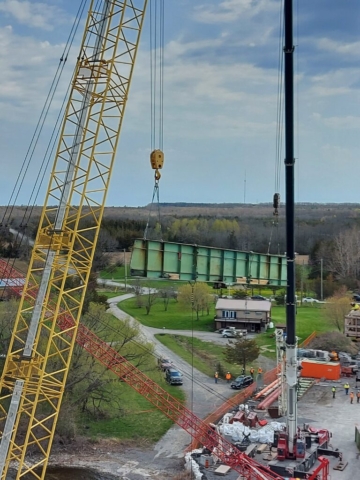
x=221 y=81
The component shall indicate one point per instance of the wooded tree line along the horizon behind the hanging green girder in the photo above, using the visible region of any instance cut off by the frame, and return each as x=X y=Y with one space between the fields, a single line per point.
x=328 y=233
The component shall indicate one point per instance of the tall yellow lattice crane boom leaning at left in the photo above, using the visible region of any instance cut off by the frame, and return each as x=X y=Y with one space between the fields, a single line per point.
x=36 y=367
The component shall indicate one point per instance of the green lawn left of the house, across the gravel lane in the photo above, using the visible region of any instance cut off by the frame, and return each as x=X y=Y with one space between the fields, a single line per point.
x=174 y=318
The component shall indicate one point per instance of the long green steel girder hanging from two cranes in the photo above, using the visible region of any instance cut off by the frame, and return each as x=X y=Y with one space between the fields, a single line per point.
x=156 y=259
